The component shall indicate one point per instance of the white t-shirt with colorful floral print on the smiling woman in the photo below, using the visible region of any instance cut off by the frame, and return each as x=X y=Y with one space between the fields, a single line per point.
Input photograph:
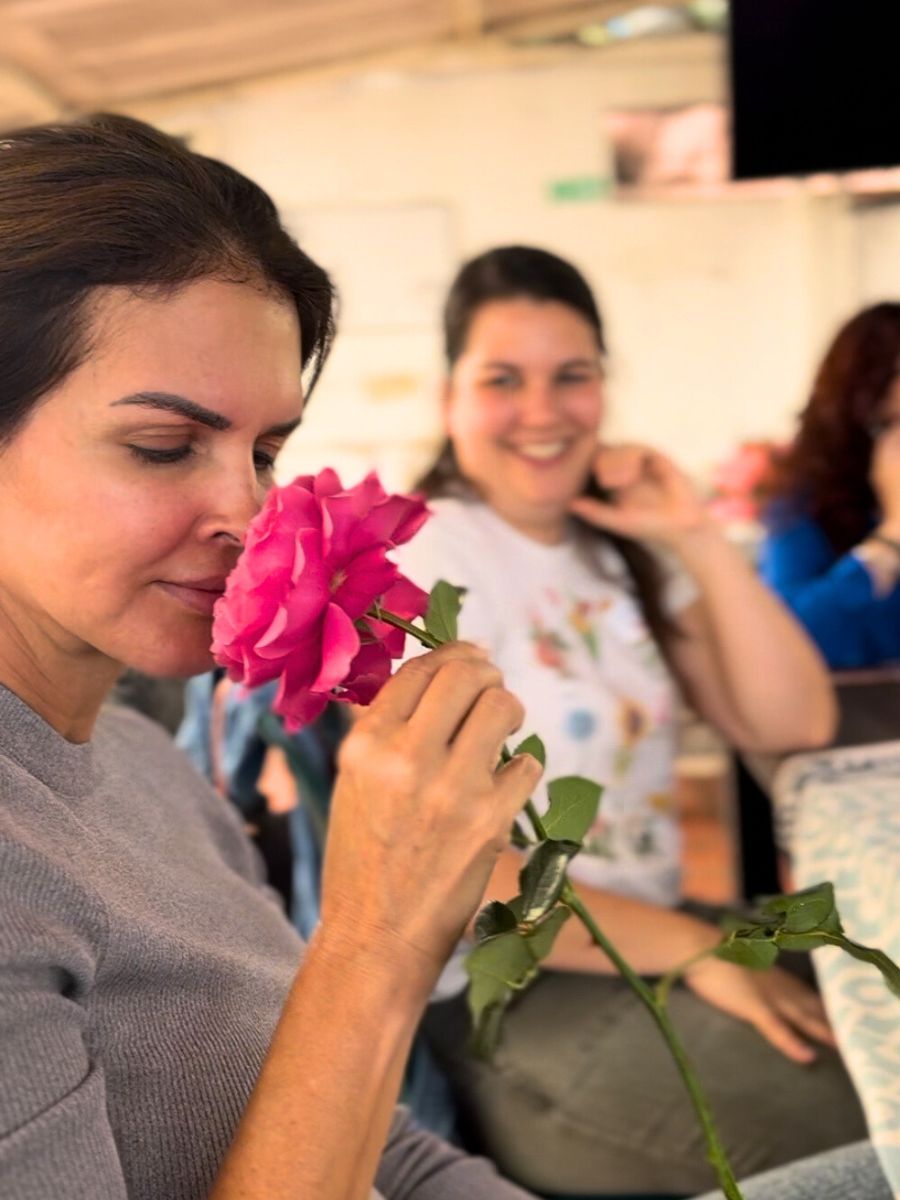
x=566 y=629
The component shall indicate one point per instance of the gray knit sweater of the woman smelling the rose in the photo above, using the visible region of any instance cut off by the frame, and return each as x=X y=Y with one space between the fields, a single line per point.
x=143 y=967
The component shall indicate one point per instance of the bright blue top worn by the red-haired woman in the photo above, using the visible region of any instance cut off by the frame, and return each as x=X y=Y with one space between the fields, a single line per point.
x=832 y=596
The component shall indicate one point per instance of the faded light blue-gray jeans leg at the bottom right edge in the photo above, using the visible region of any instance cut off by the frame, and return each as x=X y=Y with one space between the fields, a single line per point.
x=851 y=1173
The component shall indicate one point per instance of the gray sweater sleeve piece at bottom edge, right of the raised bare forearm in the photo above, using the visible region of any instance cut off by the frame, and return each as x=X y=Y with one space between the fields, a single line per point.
x=418 y=1166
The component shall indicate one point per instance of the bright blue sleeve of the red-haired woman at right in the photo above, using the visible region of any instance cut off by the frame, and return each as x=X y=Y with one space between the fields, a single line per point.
x=831 y=597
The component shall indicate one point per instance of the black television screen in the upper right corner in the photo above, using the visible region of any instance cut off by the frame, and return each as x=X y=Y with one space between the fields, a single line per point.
x=815 y=86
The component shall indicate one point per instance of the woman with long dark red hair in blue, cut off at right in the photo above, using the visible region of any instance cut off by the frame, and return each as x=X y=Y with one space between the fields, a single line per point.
x=833 y=550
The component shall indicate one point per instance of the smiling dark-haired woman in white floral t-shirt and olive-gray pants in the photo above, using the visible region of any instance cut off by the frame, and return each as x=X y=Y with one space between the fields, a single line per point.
x=604 y=593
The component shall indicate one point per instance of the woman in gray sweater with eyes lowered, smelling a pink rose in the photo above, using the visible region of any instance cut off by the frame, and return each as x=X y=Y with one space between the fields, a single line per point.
x=165 y=1033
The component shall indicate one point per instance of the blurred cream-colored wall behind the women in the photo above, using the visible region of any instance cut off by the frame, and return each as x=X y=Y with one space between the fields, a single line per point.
x=717 y=311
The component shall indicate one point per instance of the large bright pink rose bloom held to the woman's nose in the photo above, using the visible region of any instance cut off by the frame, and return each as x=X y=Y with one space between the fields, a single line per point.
x=296 y=605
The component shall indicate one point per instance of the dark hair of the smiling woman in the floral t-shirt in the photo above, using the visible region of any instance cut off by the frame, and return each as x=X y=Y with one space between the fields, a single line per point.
x=505 y=274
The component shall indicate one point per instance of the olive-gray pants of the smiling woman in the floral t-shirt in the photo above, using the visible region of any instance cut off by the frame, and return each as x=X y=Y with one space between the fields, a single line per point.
x=584 y=1099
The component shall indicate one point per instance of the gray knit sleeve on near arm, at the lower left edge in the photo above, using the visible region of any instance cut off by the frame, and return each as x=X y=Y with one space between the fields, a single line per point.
x=56 y=1139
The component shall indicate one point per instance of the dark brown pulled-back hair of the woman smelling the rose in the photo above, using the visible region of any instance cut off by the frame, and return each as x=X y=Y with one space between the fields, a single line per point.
x=112 y=202
